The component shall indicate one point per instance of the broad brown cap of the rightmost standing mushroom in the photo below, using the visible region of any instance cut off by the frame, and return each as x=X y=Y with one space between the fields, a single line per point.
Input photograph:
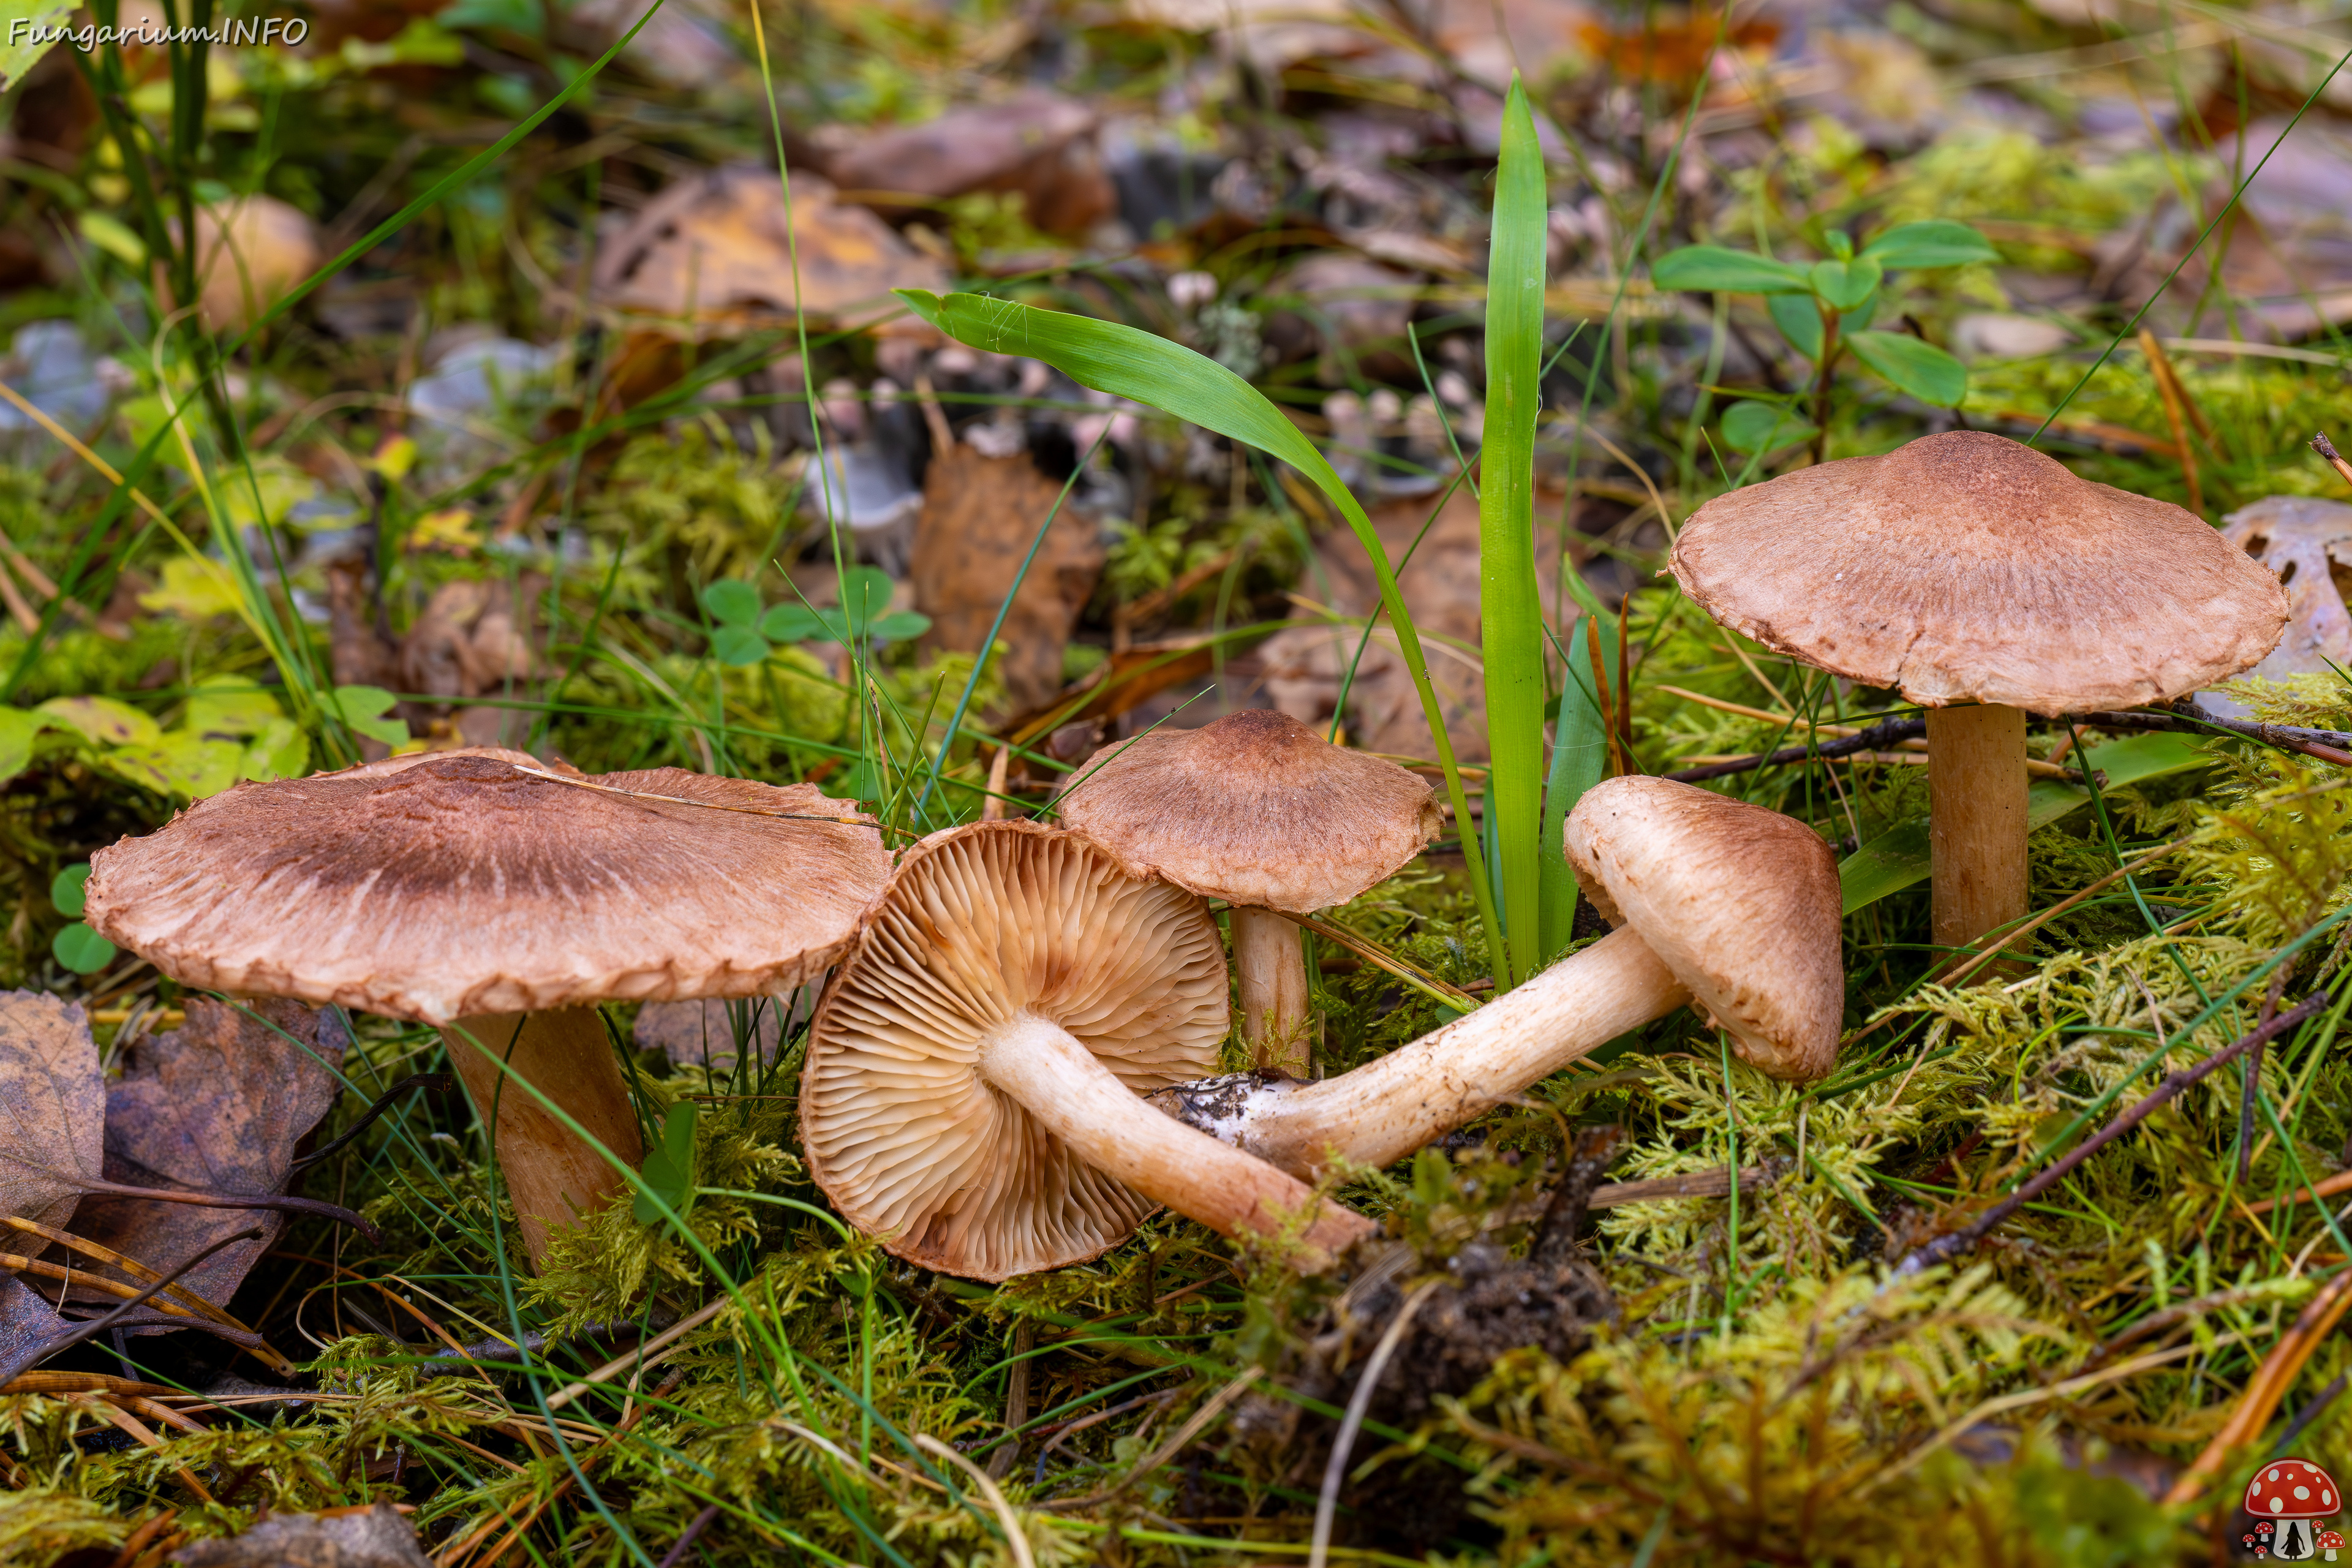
x=1970 y=568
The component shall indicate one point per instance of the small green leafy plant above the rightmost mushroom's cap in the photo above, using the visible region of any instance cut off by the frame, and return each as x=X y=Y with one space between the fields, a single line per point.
x=1826 y=309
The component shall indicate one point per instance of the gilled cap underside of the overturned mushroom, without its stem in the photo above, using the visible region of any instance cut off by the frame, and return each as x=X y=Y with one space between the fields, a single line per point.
x=980 y=925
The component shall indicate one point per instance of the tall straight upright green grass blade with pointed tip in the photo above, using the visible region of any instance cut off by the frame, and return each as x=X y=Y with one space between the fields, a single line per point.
x=1511 y=615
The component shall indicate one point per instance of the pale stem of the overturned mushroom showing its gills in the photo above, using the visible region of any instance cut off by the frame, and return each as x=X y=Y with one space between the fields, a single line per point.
x=1083 y=1104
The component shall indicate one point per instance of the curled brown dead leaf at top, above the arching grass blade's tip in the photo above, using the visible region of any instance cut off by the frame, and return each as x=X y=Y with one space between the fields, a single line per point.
x=1036 y=145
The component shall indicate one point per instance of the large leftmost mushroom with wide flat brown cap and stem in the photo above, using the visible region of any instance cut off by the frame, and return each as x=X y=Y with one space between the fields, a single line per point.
x=502 y=906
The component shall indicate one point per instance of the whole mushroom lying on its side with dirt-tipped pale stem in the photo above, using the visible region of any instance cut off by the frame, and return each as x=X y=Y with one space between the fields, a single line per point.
x=1716 y=904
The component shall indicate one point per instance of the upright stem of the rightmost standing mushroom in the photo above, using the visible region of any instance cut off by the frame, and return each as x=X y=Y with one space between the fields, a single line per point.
x=1977 y=822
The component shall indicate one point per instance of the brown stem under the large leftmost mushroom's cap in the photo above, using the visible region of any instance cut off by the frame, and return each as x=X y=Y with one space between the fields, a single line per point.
x=552 y=1174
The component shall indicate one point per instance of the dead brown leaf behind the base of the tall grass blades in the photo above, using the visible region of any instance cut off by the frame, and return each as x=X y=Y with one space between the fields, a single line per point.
x=1441 y=587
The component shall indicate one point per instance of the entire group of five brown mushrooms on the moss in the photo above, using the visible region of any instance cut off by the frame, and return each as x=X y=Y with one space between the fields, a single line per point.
x=1013 y=1059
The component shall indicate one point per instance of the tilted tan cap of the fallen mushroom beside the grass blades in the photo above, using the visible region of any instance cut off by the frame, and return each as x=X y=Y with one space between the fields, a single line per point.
x=1737 y=902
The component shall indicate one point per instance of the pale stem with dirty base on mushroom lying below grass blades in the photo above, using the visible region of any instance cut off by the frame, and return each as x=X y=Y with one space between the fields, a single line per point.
x=1389 y=1108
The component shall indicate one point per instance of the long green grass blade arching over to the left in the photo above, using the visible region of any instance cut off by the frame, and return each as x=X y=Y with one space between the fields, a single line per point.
x=1175 y=380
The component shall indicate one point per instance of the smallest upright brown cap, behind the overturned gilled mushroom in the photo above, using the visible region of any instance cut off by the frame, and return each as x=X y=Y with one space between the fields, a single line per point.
x=1252 y=810
